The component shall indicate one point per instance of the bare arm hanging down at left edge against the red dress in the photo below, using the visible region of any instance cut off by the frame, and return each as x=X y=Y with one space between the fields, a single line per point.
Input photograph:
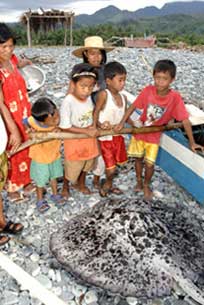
x=15 y=137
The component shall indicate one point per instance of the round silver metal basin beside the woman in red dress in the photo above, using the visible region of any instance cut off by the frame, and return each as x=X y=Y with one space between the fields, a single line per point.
x=34 y=77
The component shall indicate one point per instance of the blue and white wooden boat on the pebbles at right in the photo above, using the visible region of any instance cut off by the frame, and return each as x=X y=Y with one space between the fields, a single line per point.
x=177 y=160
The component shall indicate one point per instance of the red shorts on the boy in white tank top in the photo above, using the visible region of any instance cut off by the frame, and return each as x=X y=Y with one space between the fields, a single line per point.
x=113 y=152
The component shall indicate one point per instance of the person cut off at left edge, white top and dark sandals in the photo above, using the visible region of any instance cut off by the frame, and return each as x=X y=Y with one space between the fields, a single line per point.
x=14 y=140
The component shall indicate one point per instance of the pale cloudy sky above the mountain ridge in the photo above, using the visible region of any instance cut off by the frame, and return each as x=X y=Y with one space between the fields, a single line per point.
x=11 y=10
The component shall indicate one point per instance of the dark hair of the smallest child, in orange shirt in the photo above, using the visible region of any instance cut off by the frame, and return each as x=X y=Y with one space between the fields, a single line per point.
x=42 y=108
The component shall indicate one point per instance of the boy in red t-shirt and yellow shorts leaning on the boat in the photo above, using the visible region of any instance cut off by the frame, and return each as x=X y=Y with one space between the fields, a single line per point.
x=160 y=104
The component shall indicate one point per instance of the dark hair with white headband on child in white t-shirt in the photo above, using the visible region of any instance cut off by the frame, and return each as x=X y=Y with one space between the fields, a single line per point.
x=83 y=70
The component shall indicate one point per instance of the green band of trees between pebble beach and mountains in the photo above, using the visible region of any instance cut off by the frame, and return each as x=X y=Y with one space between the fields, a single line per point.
x=189 y=29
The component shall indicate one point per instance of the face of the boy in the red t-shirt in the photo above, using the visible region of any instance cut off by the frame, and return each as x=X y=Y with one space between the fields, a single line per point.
x=162 y=81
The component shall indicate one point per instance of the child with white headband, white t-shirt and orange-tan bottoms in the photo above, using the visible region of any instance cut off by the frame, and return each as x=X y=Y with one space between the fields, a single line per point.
x=76 y=115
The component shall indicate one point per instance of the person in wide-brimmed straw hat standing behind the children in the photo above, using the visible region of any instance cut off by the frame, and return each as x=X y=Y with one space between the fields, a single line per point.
x=94 y=52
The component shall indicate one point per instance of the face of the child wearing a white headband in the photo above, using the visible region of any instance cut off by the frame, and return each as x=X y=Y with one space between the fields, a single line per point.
x=83 y=88
